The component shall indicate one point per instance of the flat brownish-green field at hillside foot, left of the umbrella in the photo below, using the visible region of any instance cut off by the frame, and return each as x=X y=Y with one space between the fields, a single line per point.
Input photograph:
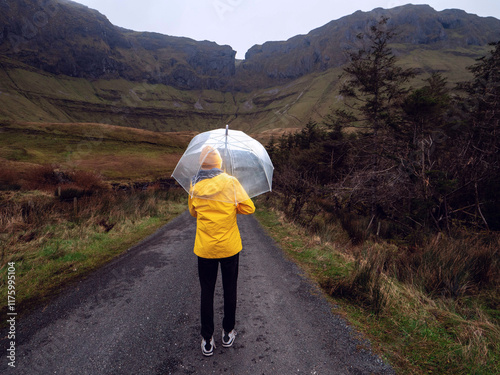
x=116 y=153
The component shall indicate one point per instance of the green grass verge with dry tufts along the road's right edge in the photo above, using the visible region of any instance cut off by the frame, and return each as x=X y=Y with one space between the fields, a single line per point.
x=416 y=330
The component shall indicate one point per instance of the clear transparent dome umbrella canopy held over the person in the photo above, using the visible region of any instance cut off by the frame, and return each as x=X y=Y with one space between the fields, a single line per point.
x=242 y=157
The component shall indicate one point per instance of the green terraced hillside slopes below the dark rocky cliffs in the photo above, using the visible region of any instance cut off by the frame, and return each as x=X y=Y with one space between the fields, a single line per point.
x=31 y=95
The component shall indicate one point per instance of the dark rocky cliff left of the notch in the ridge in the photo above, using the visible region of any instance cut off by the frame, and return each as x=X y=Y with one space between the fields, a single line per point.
x=63 y=37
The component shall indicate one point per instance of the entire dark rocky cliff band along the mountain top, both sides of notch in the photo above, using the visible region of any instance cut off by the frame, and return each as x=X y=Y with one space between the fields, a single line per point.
x=64 y=37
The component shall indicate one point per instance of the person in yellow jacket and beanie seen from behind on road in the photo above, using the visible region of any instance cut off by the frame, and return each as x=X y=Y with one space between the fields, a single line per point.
x=217 y=241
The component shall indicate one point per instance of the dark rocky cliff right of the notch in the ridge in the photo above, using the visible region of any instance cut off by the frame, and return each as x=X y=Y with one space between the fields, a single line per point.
x=418 y=26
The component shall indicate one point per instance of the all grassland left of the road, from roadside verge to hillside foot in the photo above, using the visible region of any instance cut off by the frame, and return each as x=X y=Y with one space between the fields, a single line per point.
x=51 y=243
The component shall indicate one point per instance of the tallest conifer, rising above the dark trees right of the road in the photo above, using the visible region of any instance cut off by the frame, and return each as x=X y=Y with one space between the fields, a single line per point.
x=373 y=88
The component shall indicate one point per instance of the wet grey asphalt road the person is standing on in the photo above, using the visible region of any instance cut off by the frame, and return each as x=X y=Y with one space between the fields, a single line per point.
x=140 y=315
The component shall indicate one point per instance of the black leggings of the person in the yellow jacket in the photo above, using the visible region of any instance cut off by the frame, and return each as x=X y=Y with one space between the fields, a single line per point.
x=207 y=272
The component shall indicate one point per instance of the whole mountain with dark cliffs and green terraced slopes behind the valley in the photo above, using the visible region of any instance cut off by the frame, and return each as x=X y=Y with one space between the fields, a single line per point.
x=64 y=62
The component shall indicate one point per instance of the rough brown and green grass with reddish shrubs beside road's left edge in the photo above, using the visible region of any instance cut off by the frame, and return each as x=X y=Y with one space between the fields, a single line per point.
x=52 y=240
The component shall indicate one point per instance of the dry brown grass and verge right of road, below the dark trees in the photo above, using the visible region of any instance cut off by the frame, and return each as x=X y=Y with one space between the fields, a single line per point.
x=430 y=309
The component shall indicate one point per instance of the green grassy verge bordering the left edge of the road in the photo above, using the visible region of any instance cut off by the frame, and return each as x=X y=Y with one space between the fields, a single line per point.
x=61 y=247
